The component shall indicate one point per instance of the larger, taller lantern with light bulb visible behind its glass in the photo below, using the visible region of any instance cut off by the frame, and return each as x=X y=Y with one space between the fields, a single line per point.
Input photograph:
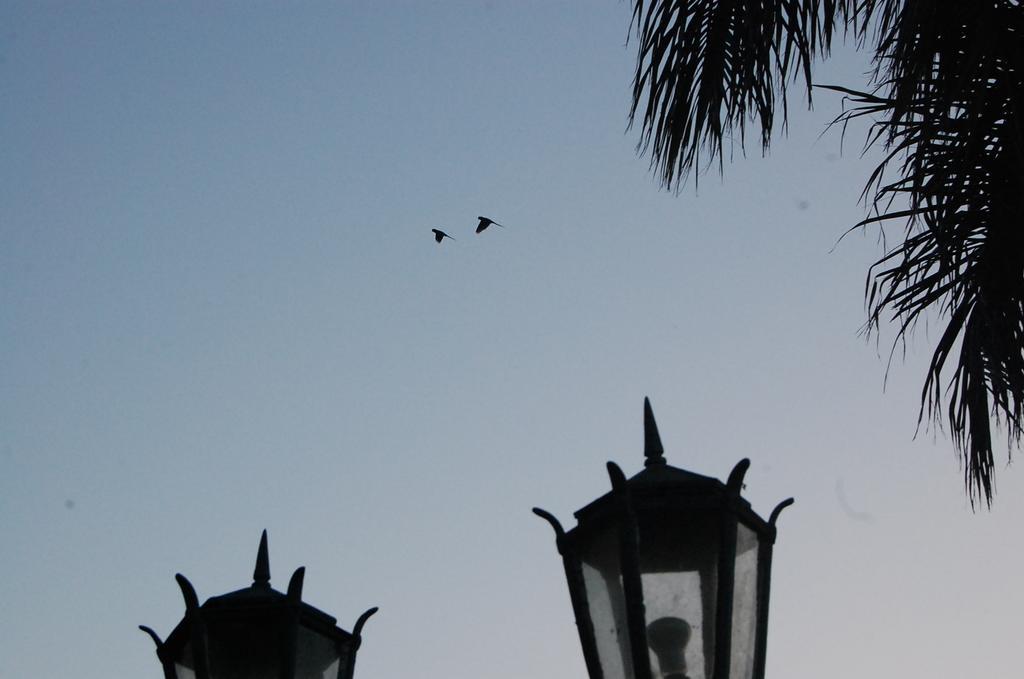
x=669 y=574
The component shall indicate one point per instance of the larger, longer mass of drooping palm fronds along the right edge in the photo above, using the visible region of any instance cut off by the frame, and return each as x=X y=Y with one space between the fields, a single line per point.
x=949 y=103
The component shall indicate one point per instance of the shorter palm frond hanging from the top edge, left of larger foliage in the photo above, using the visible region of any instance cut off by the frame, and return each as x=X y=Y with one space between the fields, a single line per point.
x=706 y=68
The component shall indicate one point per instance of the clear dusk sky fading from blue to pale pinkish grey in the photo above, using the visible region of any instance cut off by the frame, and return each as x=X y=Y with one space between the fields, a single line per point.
x=222 y=311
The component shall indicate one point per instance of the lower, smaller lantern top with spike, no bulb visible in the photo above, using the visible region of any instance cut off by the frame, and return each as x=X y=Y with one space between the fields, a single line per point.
x=258 y=633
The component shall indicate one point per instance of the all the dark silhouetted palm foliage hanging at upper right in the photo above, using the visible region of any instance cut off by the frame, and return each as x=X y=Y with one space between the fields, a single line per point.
x=947 y=105
